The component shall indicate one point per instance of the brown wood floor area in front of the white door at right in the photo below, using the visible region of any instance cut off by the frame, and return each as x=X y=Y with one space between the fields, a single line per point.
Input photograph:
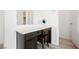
x=66 y=44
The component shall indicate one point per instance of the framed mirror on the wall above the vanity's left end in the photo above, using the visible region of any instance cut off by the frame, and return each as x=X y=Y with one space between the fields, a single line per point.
x=24 y=17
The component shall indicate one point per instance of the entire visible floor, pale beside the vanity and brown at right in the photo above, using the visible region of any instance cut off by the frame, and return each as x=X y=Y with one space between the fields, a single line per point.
x=63 y=44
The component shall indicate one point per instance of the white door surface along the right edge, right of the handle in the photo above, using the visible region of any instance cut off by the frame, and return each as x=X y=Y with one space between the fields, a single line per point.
x=75 y=26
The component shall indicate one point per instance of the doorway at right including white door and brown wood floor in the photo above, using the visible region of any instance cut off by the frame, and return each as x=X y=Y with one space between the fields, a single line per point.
x=65 y=28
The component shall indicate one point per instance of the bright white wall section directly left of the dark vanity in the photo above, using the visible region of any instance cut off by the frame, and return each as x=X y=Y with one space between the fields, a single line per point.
x=10 y=29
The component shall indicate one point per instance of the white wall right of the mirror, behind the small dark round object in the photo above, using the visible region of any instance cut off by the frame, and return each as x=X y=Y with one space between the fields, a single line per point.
x=51 y=18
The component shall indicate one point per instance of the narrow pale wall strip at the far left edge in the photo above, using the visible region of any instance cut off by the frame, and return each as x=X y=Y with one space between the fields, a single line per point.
x=1 y=26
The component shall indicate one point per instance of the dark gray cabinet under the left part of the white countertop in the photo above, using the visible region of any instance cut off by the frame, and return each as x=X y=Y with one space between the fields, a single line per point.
x=27 y=41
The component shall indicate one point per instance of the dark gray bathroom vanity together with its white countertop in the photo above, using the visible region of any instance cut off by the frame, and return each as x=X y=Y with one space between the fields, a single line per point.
x=27 y=35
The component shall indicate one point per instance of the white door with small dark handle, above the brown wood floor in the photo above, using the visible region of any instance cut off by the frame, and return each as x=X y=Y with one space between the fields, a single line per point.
x=65 y=24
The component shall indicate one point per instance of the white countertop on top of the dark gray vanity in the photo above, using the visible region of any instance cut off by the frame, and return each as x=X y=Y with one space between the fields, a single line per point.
x=24 y=29
